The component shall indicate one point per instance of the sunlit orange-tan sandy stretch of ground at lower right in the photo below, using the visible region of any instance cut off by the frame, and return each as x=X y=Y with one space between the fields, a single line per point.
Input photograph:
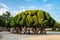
x=43 y=37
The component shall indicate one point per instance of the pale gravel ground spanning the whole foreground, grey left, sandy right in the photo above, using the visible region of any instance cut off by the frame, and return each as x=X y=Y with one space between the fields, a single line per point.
x=10 y=36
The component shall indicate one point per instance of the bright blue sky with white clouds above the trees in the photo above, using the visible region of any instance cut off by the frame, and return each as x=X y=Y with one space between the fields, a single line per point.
x=15 y=6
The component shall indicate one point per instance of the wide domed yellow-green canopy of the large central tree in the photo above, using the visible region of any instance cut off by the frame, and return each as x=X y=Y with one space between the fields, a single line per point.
x=33 y=18
